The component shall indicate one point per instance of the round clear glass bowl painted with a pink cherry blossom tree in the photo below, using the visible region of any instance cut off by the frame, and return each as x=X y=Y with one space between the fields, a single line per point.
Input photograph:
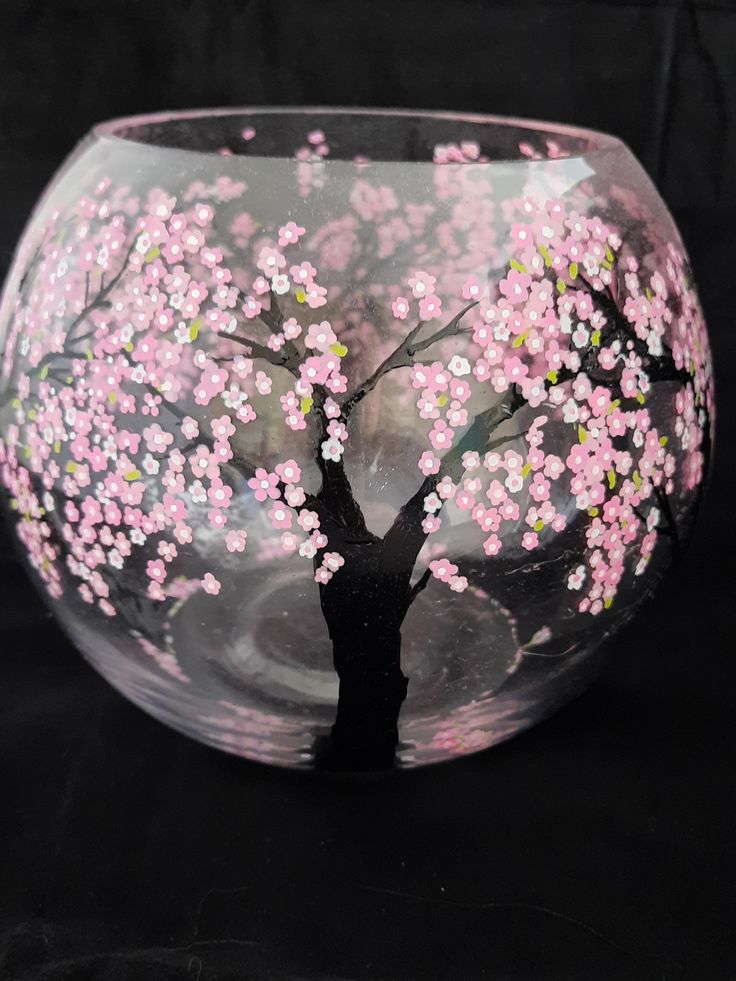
x=344 y=438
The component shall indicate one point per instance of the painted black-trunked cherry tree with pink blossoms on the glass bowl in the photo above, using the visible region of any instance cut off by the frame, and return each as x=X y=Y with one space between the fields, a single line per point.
x=561 y=377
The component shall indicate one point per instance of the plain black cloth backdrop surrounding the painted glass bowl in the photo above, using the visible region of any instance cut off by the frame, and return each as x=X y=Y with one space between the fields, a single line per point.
x=598 y=845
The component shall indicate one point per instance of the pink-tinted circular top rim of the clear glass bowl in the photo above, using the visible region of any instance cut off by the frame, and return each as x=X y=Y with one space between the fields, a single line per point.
x=596 y=140
